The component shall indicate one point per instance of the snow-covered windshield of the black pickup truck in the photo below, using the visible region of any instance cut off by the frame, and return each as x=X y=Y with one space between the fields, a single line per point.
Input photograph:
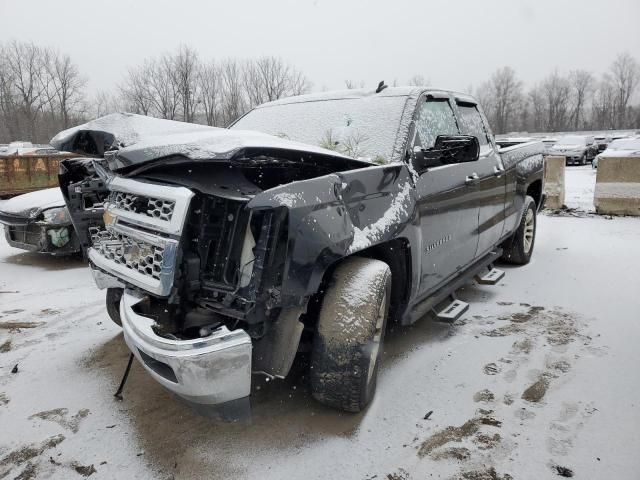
x=362 y=127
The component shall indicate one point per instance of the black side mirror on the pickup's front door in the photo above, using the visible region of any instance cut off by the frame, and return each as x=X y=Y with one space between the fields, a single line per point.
x=448 y=149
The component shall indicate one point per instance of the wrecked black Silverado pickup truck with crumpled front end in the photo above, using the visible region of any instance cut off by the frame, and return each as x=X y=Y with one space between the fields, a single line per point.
x=226 y=252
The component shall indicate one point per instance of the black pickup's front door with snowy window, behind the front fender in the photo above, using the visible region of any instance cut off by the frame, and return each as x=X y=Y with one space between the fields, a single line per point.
x=447 y=205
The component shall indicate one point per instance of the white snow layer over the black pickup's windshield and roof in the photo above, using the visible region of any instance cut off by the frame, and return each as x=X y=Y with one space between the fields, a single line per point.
x=360 y=123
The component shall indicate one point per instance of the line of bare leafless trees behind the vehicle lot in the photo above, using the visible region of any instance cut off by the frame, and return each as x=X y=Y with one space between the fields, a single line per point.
x=42 y=91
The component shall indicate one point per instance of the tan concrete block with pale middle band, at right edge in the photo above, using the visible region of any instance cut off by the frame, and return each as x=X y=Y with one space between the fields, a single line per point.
x=618 y=186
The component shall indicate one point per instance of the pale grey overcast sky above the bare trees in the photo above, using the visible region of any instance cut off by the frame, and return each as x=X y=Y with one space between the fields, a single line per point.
x=453 y=44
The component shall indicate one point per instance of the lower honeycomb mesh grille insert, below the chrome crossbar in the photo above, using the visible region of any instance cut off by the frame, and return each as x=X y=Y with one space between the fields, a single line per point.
x=136 y=255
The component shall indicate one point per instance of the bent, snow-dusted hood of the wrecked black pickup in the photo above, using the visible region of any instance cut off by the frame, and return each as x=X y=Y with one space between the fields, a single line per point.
x=137 y=139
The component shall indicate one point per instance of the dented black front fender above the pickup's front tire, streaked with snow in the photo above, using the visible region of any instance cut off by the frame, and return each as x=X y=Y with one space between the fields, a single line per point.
x=338 y=215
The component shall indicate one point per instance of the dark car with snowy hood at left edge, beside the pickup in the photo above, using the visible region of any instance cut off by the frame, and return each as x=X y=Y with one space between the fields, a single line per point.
x=39 y=222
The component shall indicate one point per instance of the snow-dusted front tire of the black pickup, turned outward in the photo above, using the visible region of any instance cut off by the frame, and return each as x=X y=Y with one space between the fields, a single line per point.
x=348 y=343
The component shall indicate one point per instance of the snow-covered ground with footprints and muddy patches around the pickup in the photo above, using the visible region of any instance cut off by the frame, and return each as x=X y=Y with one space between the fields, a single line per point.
x=540 y=373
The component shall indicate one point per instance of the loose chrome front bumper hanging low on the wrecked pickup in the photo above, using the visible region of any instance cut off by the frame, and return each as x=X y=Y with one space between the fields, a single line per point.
x=211 y=370
